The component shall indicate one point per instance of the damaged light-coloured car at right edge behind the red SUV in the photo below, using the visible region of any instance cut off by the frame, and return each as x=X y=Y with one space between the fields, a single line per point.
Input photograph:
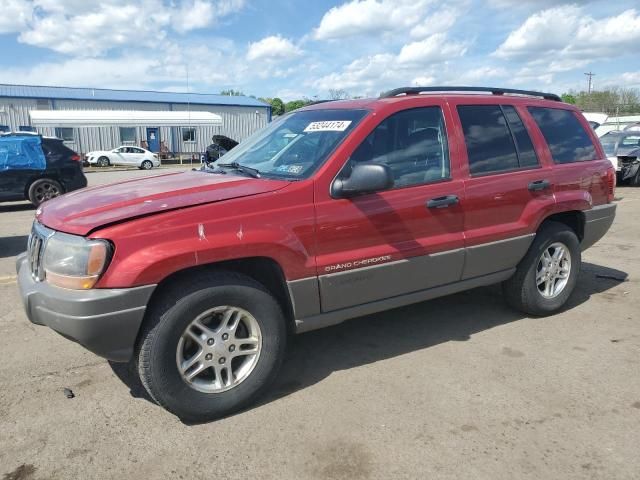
x=623 y=149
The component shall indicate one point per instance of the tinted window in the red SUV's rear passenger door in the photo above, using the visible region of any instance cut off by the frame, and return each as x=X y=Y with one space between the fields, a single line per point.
x=496 y=139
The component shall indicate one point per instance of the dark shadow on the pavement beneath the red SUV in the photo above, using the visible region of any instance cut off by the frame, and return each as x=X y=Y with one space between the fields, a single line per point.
x=313 y=356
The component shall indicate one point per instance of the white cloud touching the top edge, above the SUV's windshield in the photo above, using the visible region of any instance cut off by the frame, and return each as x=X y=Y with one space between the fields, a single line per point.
x=359 y=17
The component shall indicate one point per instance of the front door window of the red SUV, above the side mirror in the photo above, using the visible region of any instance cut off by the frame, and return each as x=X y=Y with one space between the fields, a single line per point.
x=412 y=143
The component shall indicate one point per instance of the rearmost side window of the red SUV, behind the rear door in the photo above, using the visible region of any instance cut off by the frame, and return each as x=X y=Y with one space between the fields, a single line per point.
x=567 y=139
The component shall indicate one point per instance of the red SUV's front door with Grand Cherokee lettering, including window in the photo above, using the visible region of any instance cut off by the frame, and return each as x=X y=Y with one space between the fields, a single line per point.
x=402 y=240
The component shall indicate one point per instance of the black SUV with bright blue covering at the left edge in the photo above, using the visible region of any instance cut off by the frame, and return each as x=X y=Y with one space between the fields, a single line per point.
x=37 y=168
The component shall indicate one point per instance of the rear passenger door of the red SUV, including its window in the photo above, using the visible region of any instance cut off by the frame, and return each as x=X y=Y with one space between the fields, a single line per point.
x=507 y=187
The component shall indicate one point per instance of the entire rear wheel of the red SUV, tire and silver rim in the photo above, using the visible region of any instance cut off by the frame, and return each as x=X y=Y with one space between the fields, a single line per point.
x=543 y=283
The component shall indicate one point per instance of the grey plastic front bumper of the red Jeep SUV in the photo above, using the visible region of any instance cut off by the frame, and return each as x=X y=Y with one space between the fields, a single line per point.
x=105 y=321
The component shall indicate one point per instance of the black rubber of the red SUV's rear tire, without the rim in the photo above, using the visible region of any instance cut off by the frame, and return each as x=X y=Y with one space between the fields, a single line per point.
x=521 y=290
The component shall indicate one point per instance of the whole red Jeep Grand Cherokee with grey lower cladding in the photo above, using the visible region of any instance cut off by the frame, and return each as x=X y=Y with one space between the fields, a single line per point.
x=334 y=211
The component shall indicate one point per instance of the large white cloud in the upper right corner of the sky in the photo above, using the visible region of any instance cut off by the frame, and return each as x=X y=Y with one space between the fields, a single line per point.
x=568 y=33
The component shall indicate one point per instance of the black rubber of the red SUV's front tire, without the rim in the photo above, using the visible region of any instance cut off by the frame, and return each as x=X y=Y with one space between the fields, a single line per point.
x=167 y=320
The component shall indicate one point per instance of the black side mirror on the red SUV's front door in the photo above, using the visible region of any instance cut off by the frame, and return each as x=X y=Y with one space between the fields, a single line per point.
x=364 y=178
